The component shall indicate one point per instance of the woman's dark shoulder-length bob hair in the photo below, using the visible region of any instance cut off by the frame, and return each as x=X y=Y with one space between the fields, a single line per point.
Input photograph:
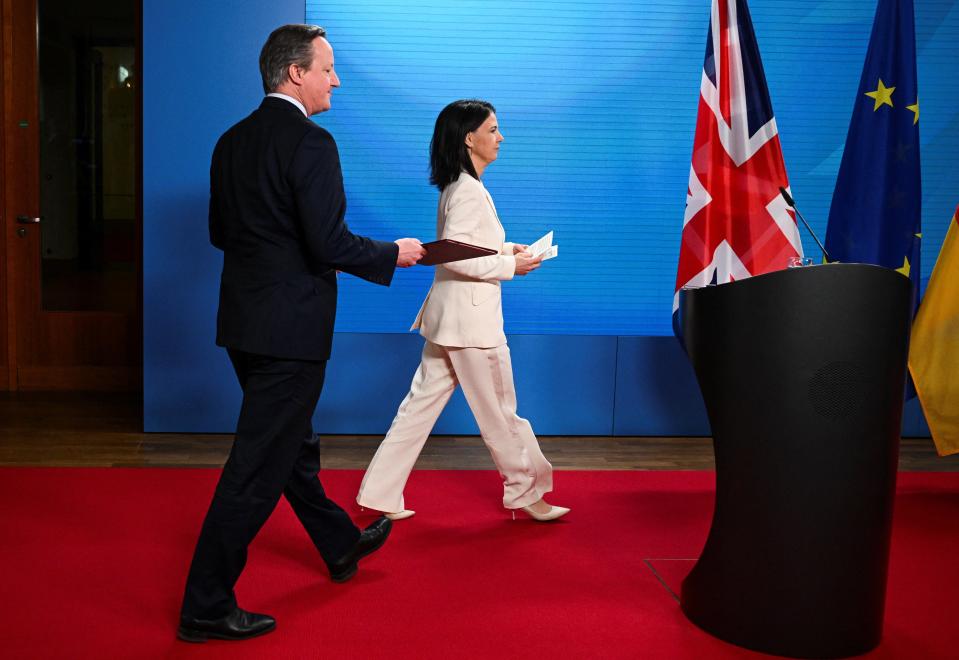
x=448 y=153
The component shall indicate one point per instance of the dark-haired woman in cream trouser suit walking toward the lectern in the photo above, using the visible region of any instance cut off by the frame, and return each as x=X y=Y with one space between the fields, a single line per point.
x=462 y=322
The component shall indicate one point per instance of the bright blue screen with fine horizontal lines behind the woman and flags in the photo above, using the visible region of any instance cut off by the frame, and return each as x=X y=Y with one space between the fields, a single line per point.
x=597 y=100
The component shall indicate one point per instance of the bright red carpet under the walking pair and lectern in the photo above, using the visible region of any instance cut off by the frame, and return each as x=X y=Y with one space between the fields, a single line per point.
x=94 y=562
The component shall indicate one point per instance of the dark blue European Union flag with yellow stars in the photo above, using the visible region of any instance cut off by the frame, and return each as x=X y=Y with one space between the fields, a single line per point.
x=875 y=213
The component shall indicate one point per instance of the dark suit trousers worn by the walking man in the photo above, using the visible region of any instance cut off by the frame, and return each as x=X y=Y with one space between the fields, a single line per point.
x=274 y=453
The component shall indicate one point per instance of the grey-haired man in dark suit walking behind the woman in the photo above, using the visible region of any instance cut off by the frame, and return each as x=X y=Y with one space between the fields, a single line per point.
x=276 y=211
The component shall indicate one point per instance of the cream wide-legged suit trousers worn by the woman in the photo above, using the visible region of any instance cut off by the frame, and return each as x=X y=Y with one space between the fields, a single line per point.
x=486 y=376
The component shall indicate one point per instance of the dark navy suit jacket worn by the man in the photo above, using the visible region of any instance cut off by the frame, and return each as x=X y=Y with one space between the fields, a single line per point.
x=276 y=211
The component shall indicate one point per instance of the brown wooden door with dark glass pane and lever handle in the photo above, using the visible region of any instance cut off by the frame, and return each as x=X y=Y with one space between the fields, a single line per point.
x=71 y=195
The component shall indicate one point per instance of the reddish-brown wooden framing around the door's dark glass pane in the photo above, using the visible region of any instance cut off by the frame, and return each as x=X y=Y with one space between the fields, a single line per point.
x=18 y=111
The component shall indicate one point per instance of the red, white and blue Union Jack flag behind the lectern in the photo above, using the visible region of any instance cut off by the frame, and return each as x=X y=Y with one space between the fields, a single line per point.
x=737 y=223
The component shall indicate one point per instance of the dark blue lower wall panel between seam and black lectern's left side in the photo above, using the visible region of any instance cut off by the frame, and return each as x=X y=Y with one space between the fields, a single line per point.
x=656 y=390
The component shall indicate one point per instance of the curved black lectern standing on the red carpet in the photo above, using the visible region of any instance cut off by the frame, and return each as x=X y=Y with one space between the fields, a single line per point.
x=802 y=372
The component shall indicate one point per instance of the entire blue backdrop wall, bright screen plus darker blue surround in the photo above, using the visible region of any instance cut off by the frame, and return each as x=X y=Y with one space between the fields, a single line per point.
x=597 y=100
